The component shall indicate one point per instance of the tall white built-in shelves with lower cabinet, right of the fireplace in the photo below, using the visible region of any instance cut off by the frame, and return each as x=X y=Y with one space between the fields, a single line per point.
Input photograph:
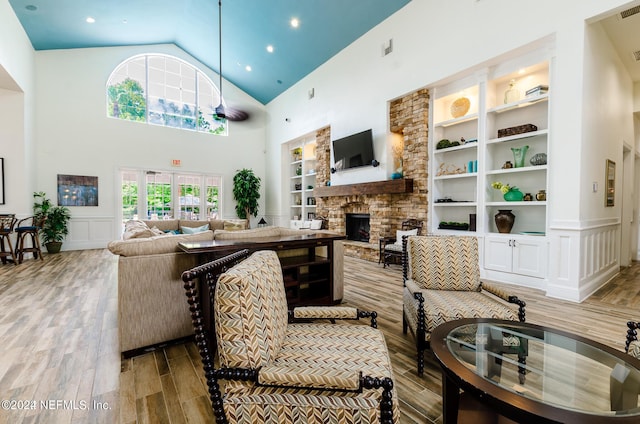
x=461 y=175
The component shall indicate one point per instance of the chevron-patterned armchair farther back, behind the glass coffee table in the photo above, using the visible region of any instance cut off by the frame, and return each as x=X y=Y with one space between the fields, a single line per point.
x=442 y=283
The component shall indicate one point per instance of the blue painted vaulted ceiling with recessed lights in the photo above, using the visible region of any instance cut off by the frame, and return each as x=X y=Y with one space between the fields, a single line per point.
x=248 y=27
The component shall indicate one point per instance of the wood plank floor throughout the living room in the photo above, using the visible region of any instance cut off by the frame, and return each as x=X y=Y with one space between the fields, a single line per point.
x=59 y=359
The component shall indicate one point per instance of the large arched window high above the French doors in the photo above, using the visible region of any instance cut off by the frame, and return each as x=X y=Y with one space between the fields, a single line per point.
x=164 y=90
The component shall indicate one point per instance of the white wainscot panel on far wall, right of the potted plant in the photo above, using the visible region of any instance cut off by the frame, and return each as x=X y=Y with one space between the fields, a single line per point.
x=90 y=232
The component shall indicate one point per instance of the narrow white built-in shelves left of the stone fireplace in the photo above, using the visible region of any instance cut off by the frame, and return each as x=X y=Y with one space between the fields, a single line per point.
x=302 y=180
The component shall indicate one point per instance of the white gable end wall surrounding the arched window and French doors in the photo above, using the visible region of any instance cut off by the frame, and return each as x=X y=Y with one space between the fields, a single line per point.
x=74 y=136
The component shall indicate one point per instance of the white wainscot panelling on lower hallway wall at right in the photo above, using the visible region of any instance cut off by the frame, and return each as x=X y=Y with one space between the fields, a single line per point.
x=587 y=257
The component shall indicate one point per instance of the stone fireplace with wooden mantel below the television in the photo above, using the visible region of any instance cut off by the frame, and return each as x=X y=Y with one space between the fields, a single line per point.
x=387 y=203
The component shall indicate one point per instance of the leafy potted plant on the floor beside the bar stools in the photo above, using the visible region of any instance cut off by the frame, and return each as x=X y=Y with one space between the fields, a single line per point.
x=55 y=222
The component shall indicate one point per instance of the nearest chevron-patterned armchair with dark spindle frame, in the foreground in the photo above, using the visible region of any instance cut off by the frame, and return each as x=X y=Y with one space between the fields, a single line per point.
x=278 y=366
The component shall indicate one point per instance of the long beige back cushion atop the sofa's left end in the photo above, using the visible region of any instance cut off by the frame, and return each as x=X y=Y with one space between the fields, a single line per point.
x=166 y=243
